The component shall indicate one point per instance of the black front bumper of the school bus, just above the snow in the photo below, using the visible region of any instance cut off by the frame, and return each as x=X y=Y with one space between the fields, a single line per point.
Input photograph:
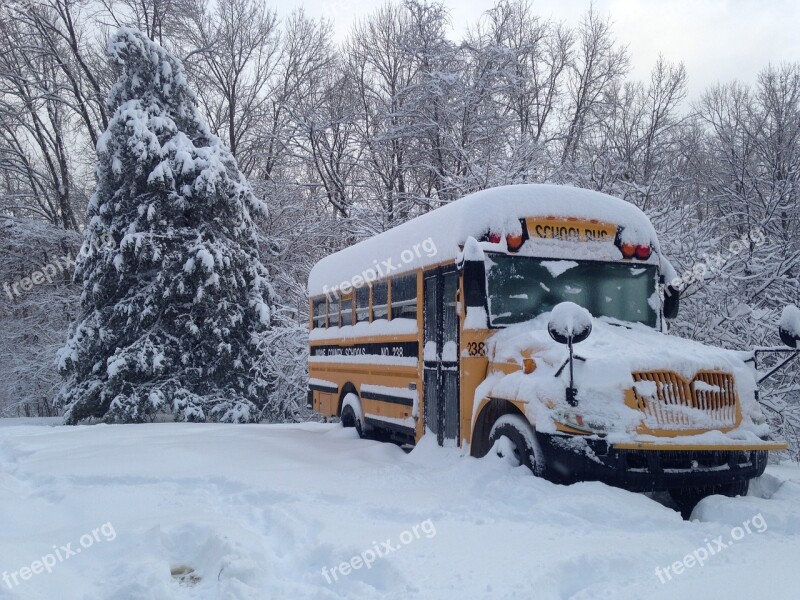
x=646 y=467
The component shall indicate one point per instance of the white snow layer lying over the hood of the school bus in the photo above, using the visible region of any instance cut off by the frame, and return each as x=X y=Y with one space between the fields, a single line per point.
x=612 y=352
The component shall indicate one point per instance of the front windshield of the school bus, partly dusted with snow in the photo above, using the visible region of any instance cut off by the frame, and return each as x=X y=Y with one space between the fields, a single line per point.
x=521 y=288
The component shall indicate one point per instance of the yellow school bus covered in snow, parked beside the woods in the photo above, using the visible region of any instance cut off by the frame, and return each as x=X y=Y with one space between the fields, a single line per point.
x=532 y=320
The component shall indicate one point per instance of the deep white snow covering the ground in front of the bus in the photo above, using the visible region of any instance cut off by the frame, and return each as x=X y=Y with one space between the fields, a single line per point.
x=266 y=511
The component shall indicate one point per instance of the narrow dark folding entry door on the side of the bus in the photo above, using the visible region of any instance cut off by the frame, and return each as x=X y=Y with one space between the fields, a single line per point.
x=440 y=355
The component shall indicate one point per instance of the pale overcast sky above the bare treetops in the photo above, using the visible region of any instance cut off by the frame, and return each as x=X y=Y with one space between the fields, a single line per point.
x=718 y=40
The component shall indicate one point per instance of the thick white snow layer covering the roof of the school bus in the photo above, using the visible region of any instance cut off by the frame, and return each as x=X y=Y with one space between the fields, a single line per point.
x=435 y=237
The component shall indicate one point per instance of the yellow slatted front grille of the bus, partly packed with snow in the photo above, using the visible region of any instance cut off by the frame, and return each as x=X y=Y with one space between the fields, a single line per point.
x=708 y=401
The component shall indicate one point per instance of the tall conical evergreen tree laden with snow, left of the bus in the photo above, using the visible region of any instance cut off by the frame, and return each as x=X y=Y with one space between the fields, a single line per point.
x=173 y=311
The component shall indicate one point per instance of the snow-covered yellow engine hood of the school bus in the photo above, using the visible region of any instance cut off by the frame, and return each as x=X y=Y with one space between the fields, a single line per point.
x=617 y=357
